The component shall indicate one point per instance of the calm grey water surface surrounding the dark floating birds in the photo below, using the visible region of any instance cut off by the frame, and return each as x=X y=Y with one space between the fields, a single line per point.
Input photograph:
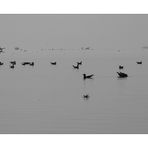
x=49 y=98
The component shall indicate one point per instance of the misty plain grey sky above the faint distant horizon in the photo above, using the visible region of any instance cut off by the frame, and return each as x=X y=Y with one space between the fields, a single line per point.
x=74 y=31
